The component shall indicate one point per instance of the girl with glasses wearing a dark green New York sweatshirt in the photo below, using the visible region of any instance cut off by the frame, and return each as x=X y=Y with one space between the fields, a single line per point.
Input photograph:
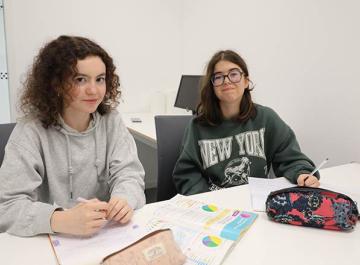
x=232 y=138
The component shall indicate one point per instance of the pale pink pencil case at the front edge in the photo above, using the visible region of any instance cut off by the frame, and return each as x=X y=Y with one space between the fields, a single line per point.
x=156 y=248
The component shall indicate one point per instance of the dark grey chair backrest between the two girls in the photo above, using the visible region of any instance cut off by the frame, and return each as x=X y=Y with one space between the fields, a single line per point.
x=169 y=133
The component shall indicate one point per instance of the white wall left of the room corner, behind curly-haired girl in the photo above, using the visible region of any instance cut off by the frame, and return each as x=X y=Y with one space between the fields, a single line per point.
x=142 y=36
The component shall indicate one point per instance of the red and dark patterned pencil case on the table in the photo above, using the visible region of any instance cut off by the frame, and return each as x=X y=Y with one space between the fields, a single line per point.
x=312 y=207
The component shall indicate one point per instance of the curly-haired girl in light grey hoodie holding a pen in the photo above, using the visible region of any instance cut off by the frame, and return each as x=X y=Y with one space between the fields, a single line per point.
x=70 y=164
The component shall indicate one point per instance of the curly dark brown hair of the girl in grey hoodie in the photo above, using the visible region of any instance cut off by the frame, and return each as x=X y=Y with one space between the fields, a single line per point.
x=51 y=77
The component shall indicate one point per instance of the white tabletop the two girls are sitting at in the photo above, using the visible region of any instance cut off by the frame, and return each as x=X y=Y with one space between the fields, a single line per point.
x=265 y=243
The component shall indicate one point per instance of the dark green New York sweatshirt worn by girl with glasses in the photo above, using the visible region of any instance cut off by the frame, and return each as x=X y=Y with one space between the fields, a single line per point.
x=218 y=157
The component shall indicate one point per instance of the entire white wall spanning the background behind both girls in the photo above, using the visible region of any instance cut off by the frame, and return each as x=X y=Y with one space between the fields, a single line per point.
x=303 y=55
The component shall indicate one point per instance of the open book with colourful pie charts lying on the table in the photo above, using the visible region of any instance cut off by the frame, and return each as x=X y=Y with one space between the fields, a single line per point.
x=205 y=233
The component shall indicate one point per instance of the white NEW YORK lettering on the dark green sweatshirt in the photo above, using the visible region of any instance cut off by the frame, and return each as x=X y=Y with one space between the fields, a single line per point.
x=250 y=143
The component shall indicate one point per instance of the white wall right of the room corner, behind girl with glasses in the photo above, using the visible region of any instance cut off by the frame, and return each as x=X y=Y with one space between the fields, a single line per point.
x=303 y=57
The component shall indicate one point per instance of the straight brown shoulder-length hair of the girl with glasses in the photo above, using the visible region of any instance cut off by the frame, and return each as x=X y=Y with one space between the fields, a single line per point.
x=208 y=111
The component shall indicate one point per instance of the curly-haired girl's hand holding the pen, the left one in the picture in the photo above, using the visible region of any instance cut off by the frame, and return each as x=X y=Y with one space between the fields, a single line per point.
x=86 y=218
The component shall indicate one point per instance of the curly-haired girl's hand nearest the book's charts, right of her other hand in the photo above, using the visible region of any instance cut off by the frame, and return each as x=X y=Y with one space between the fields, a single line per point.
x=119 y=210
